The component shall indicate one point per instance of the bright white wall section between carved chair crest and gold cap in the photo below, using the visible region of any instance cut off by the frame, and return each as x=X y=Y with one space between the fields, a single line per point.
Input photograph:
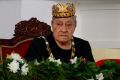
x=37 y=8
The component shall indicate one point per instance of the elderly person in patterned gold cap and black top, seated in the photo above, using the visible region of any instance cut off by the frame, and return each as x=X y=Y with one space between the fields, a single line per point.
x=61 y=44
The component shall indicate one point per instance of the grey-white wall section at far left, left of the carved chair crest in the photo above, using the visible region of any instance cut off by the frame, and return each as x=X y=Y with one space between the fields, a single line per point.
x=10 y=11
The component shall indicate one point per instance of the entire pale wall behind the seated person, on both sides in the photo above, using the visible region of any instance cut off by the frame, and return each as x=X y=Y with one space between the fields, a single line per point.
x=97 y=20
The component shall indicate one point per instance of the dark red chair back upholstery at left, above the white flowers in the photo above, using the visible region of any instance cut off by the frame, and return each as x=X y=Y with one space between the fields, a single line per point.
x=20 y=48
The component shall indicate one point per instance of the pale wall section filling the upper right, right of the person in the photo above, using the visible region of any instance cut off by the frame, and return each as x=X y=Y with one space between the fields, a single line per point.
x=101 y=22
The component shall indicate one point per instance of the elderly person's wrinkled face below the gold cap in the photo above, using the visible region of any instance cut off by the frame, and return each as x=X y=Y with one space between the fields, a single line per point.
x=63 y=28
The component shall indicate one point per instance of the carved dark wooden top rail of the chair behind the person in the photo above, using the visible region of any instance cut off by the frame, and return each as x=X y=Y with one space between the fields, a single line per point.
x=27 y=29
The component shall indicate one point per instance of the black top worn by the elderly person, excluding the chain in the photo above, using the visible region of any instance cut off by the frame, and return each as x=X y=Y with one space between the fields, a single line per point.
x=37 y=50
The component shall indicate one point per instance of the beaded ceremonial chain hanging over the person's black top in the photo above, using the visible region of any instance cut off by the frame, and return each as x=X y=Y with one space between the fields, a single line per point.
x=49 y=50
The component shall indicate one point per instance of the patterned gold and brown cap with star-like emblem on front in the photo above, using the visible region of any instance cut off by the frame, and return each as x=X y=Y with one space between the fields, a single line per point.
x=63 y=10
